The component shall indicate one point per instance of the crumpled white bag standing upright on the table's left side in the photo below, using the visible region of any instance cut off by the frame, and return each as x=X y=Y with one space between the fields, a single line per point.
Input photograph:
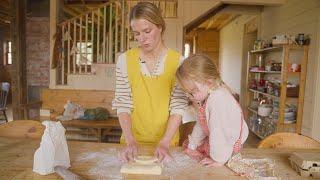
x=53 y=150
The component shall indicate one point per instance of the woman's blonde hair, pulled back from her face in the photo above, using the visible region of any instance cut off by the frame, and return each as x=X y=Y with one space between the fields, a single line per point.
x=149 y=12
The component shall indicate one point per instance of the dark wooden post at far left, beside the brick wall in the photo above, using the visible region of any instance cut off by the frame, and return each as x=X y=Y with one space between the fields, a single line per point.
x=18 y=75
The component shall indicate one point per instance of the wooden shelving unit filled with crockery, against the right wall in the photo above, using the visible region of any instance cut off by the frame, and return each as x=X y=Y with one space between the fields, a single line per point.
x=284 y=55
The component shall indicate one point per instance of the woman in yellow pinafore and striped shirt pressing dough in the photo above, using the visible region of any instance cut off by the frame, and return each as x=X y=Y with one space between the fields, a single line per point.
x=148 y=103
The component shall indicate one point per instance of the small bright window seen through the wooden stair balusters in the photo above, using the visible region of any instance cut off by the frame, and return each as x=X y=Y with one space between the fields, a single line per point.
x=86 y=52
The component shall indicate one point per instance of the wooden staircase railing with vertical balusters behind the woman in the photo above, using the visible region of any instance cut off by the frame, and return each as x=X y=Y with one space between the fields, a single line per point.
x=96 y=37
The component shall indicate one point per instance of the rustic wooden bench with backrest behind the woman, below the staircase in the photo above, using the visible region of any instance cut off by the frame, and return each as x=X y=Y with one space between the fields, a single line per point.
x=87 y=130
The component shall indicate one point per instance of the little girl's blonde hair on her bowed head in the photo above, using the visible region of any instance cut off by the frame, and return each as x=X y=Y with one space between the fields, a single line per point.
x=199 y=68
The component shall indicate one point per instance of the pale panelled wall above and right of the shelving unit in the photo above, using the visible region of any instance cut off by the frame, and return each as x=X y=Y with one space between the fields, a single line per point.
x=295 y=17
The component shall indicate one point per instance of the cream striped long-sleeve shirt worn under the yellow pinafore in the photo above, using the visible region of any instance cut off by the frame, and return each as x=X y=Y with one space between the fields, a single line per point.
x=123 y=97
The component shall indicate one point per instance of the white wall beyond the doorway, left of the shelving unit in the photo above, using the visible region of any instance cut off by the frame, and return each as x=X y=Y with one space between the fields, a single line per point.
x=231 y=52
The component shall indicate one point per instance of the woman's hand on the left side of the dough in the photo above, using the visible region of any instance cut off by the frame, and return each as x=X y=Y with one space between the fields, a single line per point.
x=129 y=153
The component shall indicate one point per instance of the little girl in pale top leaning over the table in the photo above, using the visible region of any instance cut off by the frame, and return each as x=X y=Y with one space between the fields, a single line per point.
x=220 y=130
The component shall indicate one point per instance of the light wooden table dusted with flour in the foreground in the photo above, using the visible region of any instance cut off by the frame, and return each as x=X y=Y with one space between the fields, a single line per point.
x=16 y=160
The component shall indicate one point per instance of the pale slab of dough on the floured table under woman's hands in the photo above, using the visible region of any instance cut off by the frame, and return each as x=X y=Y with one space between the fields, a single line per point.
x=142 y=165
